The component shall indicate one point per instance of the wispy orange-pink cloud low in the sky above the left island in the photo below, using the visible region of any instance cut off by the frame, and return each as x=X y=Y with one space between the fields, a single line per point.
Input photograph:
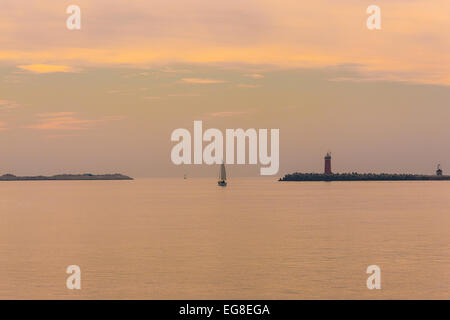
x=66 y=121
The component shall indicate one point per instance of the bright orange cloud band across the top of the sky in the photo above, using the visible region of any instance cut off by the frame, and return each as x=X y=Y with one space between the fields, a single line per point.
x=413 y=45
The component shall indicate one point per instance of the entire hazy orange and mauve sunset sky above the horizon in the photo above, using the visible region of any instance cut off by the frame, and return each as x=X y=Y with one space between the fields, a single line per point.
x=107 y=97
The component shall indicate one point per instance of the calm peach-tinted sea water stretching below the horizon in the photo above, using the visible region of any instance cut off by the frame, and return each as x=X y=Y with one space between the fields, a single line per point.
x=257 y=238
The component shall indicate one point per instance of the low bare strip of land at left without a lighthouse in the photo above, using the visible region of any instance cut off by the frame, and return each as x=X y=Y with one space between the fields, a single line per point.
x=86 y=176
